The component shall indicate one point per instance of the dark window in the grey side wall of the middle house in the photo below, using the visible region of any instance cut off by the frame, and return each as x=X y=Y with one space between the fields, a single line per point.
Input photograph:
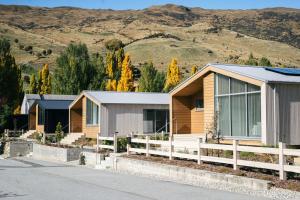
x=156 y=121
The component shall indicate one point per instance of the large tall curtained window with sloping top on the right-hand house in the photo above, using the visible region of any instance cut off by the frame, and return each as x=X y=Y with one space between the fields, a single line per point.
x=238 y=106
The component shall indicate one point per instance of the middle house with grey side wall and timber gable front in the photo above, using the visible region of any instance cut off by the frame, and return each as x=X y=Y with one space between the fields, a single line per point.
x=105 y=112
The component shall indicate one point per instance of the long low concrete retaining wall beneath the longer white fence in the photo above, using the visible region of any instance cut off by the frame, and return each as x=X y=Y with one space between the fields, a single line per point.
x=183 y=174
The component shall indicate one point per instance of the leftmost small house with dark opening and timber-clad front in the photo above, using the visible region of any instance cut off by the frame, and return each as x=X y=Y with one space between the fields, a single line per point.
x=45 y=113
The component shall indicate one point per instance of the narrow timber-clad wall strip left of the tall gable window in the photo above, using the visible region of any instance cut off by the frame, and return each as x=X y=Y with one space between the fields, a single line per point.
x=209 y=100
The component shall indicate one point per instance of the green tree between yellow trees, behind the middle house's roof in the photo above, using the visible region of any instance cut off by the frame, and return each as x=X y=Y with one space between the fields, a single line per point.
x=151 y=80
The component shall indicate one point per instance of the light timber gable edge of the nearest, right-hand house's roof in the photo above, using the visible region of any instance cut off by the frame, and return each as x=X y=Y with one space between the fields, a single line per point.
x=211 y=68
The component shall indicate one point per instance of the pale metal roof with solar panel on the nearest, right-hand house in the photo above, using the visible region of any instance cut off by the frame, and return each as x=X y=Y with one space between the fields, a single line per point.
x=259 y=73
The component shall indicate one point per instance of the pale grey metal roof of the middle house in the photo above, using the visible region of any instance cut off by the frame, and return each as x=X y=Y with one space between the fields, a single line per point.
x=128 y=97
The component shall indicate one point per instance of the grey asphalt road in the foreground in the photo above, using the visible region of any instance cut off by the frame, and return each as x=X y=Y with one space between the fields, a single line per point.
x=39 y=180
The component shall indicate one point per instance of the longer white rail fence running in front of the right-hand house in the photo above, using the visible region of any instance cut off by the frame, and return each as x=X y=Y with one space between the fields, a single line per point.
x=166 y=148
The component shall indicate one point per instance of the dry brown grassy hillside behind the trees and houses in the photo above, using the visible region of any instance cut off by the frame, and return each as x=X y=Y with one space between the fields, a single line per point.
x=193 y=35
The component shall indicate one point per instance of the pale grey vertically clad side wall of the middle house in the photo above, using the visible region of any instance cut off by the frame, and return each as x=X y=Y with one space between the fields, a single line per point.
x=124 y=118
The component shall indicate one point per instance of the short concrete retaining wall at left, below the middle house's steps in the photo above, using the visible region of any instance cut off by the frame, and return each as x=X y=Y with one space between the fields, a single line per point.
x=55 y=153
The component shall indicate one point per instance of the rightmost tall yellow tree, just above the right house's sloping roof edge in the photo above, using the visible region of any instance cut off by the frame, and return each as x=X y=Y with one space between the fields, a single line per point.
x=173 y=75
